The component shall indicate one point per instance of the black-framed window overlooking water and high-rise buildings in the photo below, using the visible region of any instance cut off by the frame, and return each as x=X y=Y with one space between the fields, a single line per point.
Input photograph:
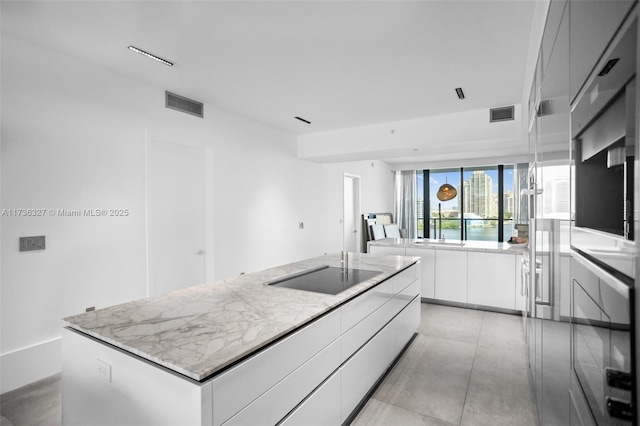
x=483 y=209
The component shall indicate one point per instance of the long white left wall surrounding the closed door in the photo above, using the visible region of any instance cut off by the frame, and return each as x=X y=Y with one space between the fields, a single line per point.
x=73 y=137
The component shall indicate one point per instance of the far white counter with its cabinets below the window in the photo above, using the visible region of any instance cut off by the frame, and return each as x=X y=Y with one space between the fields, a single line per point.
x=473 y=274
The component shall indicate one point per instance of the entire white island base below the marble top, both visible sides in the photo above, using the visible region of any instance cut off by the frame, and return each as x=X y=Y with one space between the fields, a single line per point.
x=318 y=375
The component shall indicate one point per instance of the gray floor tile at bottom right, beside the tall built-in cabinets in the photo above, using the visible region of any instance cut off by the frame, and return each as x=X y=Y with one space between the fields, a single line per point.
x=499 y=391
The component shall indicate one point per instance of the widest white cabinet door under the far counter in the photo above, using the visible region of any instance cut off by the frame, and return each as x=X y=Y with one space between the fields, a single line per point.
x=492 y=279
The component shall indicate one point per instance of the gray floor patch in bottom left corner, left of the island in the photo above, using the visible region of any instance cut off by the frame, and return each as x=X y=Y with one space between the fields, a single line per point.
x=35 y=404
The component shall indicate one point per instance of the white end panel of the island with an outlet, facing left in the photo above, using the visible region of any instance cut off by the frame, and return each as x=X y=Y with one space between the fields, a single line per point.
x=104 y=386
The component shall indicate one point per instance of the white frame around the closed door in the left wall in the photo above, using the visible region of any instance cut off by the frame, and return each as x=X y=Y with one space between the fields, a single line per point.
x=209 y=255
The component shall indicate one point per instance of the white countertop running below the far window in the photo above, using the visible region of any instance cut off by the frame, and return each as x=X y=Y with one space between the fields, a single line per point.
x=470 y=245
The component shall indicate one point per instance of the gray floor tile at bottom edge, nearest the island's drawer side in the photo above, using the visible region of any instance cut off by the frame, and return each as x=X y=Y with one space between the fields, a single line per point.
x=377 y=413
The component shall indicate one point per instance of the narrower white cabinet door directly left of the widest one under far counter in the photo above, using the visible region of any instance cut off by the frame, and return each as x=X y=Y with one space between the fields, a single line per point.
x=451 y=275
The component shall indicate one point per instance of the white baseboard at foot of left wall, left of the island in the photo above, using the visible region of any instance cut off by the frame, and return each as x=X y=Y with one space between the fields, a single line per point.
x=28 y=365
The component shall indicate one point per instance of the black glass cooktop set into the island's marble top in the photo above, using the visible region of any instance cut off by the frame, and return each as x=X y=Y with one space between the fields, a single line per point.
x=324 y=279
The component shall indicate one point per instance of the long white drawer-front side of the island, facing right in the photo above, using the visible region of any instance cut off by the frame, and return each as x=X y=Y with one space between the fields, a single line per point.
x=372 y=329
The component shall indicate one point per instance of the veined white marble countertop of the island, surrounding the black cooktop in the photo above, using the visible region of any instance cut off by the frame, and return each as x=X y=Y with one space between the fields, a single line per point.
x=200 y=330
